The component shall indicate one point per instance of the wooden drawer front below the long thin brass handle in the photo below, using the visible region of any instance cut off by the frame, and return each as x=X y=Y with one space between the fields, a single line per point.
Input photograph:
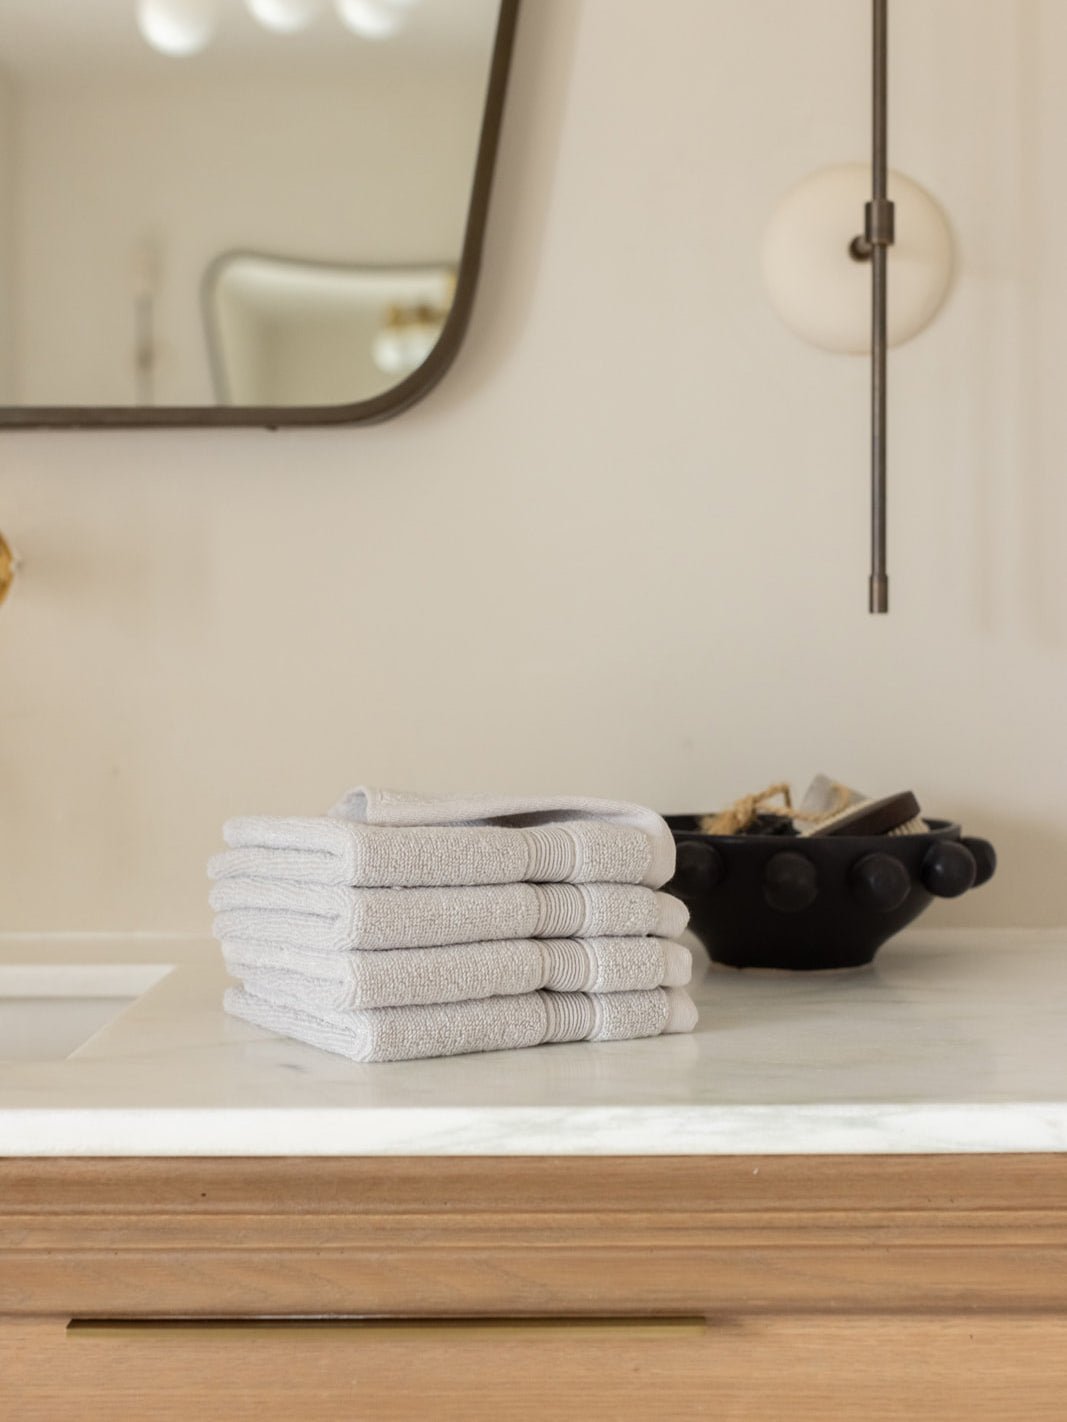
x=800 y=1369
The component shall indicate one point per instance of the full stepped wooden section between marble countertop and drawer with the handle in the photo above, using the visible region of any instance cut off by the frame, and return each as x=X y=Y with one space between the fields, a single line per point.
x=533 y=1236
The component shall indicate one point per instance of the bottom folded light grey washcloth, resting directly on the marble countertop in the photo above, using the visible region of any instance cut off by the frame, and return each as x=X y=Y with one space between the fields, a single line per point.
x=490 y=1025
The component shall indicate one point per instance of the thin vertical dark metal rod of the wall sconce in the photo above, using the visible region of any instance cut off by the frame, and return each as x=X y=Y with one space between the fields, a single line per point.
x=878 y=234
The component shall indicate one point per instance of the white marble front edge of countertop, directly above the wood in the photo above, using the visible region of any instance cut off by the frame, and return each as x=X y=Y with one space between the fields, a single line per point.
x=866 y=1128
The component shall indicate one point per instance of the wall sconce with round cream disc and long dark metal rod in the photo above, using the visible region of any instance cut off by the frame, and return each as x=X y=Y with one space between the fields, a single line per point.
x=816 y=268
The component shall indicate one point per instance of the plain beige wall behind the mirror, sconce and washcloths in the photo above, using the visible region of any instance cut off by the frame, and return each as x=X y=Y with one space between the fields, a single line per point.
x=622 y=548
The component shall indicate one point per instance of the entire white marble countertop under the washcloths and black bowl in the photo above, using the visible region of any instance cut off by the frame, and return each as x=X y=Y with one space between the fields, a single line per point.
x=954 y=1042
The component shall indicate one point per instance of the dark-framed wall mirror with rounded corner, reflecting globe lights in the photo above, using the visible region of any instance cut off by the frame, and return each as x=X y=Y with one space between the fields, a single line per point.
x=241 y=213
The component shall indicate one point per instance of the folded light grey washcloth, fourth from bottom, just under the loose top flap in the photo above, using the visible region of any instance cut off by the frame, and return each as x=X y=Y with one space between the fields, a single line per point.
x=328 y=851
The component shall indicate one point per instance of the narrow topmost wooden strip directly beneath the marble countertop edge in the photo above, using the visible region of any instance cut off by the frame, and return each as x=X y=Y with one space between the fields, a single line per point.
x=403 y=1185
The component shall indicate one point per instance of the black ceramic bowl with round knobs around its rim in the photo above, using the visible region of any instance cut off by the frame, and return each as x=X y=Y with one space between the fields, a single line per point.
x=820 y=902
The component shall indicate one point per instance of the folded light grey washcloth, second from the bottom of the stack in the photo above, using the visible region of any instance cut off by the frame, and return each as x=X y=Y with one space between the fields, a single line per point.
x=402 y=978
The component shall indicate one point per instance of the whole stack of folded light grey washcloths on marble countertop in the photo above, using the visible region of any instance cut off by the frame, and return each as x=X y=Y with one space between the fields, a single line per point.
x=403 y=926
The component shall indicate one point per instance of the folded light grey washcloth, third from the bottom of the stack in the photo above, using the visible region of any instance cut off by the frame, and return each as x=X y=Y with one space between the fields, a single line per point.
x=336 y=919
